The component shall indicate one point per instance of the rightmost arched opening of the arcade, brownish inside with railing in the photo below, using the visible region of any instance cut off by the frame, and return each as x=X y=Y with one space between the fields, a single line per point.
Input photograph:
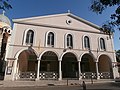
x=105 y=67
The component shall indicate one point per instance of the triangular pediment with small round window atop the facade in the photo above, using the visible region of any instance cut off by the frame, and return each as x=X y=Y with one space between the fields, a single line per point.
x=66 y=20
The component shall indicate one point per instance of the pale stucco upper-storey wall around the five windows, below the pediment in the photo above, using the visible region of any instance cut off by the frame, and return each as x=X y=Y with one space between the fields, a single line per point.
x=40 y=38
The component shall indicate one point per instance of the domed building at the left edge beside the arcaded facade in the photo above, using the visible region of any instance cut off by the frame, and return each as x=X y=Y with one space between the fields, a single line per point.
x=5 y=34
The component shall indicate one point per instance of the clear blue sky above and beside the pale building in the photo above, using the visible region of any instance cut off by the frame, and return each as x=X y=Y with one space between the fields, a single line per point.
x=81 y=8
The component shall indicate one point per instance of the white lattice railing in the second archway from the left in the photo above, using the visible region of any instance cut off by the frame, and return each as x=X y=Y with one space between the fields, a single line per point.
x=48 y=75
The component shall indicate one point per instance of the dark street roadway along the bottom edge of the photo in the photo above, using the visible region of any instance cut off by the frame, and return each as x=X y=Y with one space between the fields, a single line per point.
x=94 y=86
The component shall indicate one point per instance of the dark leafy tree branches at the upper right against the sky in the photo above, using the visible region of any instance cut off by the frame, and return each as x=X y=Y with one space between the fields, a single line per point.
x=98 y=6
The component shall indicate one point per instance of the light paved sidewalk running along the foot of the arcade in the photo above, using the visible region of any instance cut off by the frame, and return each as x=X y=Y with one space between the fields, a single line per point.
x=49 y=83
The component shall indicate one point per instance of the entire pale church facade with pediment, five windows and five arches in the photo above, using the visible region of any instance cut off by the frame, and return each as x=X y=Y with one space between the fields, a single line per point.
x=57 y=47
